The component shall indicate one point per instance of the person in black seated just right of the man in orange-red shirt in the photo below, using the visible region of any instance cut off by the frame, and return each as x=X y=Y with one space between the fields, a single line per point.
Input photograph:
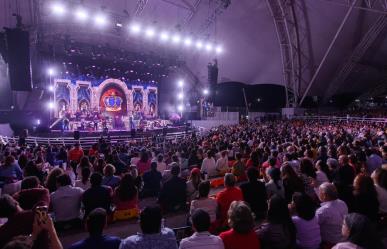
x=254 y=193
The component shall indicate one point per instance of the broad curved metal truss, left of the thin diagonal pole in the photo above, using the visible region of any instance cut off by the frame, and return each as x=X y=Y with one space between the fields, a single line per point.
x=293 y=33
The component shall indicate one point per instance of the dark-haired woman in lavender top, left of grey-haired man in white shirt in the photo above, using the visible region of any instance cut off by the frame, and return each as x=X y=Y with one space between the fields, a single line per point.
x=306 y=222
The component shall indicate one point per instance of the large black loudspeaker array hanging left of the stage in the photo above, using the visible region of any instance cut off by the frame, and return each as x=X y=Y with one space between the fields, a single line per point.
x=19 y=63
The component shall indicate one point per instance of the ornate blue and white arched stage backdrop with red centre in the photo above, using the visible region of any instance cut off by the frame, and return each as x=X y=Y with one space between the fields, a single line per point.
x=109 y=96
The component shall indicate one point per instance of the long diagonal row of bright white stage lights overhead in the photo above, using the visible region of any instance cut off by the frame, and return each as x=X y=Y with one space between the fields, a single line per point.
x=101 y=20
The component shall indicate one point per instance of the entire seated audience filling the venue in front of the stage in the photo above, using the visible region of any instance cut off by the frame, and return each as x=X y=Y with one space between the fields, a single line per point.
x=287 y=184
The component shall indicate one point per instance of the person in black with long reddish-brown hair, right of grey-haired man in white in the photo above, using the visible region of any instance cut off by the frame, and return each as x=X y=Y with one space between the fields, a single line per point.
x=365 y=197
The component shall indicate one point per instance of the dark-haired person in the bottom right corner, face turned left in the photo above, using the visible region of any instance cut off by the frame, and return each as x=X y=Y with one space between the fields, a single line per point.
x=359 y=233
